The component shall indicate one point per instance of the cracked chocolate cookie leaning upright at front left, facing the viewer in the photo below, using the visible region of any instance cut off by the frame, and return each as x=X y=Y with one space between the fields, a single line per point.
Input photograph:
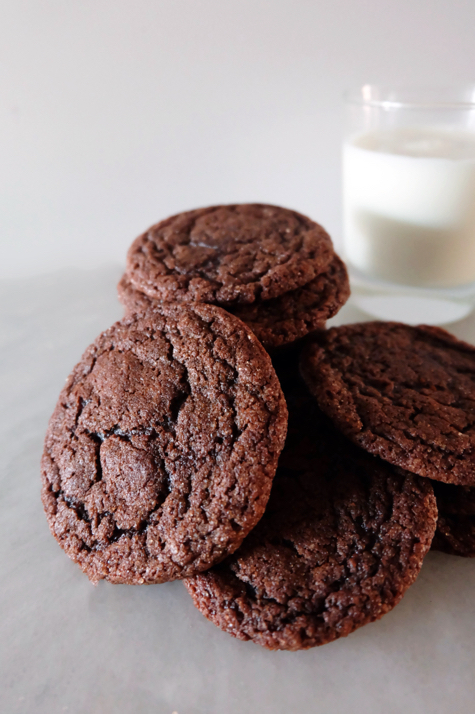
x=160 y=454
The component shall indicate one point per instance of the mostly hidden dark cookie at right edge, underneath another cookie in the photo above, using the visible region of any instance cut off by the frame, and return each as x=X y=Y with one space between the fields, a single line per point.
x=455 y=532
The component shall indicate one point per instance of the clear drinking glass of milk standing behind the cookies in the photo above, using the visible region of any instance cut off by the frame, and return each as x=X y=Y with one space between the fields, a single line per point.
x=409 y=202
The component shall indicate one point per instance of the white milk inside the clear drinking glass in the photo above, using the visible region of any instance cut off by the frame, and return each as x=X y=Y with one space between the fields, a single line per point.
x=409 y=205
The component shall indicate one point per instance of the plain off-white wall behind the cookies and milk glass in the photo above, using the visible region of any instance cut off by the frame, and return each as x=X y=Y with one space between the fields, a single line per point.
x=117 y=113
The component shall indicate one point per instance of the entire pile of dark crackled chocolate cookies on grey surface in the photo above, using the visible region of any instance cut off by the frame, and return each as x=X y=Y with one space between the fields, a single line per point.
x=295 y=509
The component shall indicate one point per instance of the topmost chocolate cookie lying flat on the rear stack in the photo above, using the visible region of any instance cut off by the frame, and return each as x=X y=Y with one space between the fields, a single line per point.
x=228 y=254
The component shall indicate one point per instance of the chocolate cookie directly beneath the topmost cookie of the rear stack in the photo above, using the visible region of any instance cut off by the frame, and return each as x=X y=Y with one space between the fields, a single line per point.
x=279 y=321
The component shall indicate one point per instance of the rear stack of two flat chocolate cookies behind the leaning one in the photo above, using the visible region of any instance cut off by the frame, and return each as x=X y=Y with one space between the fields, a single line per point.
x=273 y=268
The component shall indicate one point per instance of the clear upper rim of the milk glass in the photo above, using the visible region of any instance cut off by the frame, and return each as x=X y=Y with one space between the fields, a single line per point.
x=457 y=96
